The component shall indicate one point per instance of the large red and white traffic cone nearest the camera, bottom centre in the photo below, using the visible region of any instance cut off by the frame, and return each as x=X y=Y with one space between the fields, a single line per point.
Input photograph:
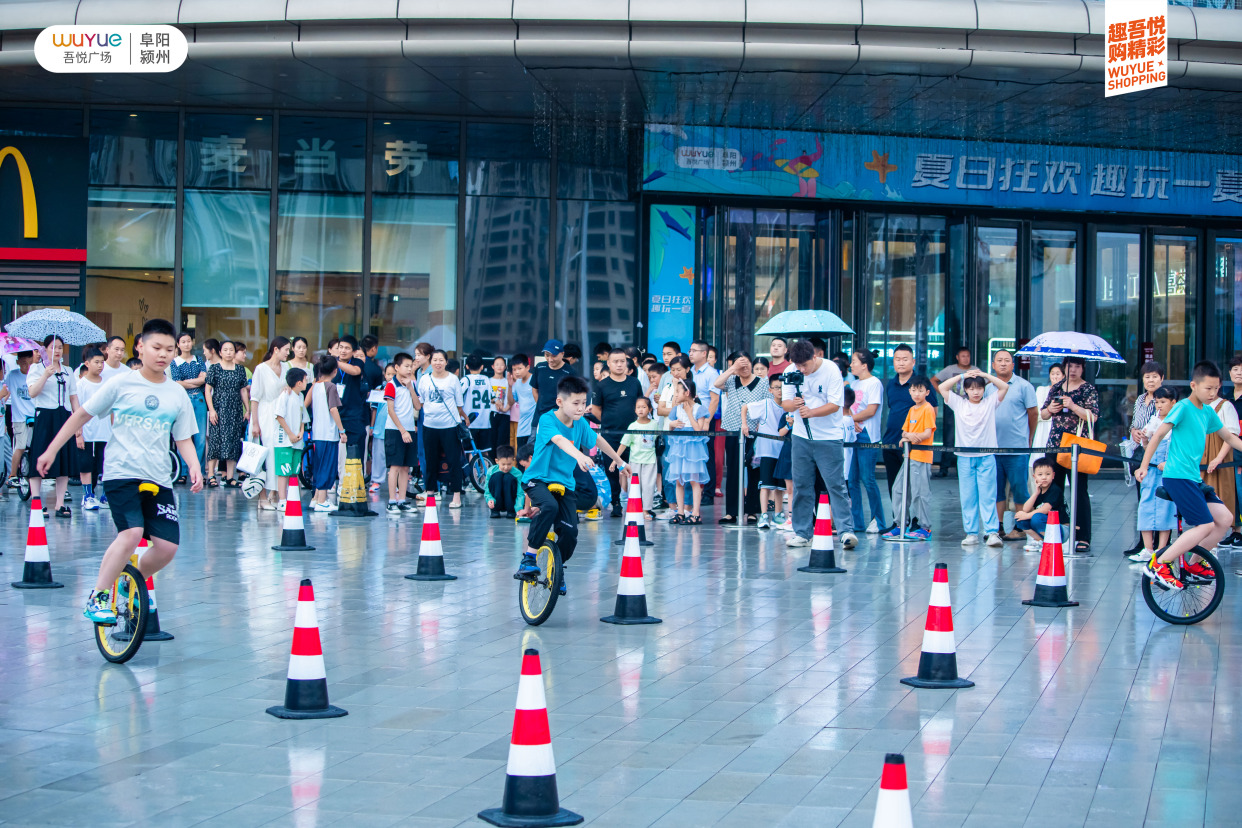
x=531 y=798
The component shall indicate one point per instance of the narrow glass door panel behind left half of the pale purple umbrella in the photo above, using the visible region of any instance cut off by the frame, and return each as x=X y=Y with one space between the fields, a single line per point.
x=1054 y=287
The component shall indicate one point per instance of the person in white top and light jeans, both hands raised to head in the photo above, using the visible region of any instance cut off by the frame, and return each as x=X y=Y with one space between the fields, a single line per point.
x=976 y=428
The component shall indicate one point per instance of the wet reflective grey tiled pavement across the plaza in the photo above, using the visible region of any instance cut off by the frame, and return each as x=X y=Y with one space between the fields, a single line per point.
x=768 y=697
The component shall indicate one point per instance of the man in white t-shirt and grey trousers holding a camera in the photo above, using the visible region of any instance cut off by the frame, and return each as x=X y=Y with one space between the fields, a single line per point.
x=819 y=431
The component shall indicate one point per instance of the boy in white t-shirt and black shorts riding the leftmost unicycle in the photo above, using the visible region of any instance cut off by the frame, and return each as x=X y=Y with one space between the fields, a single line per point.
x=147 y=408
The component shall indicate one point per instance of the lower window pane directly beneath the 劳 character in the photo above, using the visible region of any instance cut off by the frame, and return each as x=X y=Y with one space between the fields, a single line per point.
x=414 y=272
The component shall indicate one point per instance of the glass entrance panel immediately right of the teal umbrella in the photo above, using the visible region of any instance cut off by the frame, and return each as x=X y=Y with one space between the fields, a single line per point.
x=907 y=266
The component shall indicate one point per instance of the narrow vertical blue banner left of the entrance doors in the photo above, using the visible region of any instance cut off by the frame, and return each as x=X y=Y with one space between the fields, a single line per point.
x=671 y=284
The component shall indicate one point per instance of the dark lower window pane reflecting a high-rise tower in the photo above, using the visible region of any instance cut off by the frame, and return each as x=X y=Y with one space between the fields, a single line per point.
x=506 y=297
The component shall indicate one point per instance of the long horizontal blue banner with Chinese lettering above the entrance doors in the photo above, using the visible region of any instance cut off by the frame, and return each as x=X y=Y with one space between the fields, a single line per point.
x=923 y=171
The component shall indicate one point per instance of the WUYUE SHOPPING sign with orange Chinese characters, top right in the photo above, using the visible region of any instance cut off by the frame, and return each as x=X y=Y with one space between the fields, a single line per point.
x=1137 y=45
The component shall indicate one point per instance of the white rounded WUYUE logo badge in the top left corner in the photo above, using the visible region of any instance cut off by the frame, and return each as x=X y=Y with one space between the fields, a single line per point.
x=111 y=49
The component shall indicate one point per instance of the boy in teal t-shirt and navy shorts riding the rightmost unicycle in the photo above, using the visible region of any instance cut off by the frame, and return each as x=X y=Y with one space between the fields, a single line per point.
x=1209 y=520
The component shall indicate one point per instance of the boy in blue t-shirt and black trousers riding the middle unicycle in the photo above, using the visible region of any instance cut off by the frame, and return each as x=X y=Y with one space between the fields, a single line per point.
x=562 y=443
